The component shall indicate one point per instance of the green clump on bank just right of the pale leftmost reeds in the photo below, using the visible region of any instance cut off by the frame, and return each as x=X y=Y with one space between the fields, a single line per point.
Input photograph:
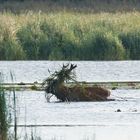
x=31 y=39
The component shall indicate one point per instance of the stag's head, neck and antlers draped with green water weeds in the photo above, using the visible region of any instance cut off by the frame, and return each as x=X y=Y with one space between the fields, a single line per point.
x=56 y=81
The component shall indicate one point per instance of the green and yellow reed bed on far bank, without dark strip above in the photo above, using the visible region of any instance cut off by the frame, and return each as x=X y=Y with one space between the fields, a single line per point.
x=69 y=36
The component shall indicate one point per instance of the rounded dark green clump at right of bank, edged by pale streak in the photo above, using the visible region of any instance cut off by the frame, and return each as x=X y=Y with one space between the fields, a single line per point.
x=105 y=46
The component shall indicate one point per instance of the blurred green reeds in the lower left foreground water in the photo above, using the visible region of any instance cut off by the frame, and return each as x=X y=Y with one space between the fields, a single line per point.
x=6 y=114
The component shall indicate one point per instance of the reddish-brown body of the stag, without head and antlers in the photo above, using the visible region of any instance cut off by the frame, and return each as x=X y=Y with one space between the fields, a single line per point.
x=80 y=93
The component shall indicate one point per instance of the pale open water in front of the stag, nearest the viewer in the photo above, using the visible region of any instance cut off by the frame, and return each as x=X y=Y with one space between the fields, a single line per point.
x=81 y=120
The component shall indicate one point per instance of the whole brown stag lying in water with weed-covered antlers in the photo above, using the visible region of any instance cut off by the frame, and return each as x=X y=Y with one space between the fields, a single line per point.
x=56 y=85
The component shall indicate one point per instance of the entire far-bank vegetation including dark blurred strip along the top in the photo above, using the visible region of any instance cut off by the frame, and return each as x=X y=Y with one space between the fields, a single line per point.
x=70 y=30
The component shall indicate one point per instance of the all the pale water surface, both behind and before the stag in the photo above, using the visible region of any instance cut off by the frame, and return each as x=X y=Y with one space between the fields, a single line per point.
x=78 y=120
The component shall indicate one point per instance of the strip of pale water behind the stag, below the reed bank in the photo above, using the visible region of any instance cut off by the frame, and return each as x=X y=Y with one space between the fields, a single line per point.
x=31 y=71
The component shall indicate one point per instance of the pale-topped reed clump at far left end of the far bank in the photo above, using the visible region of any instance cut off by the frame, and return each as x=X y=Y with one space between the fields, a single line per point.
x=10 y=48
